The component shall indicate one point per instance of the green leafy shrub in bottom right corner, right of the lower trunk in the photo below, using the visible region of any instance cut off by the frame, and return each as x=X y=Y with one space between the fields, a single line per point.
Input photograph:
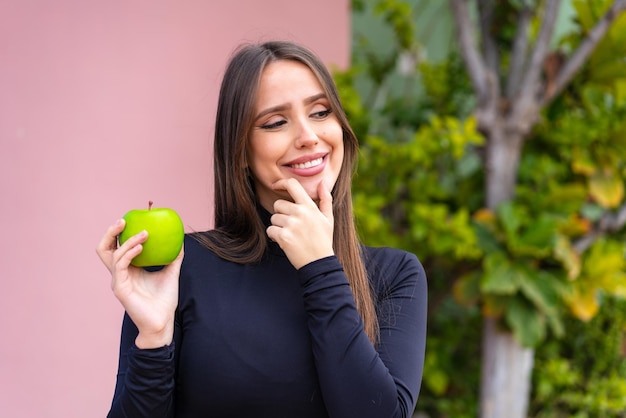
x=583 y=375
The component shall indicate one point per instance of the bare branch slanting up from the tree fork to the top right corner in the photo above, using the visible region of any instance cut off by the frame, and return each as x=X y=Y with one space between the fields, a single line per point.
x=586 y=48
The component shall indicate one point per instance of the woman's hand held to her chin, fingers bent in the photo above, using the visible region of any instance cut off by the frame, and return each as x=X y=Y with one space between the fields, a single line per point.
x=302 y=229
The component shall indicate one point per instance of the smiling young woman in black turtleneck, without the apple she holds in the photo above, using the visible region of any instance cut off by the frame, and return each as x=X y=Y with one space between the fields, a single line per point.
x=279 y=311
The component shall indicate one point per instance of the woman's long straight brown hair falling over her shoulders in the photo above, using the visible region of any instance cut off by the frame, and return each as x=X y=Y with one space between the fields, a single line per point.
x=239 y=233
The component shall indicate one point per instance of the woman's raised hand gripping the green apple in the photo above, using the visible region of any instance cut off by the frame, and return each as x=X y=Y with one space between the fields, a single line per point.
x=149 y=298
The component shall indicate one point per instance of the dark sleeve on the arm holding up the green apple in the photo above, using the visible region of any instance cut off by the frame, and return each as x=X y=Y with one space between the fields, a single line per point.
x=145 y=378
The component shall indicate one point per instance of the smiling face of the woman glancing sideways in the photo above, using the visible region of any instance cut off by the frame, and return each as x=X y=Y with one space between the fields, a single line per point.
x=295 y=134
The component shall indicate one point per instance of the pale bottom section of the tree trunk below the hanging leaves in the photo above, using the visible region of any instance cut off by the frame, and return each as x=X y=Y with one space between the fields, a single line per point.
x=506 y=374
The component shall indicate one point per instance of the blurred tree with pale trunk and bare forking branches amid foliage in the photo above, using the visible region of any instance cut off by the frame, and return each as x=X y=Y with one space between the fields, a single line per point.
x=505 y=121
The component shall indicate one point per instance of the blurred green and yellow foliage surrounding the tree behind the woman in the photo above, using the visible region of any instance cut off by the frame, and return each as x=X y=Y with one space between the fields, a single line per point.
x=420 y=187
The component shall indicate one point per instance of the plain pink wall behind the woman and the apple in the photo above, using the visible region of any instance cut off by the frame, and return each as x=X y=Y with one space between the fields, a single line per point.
x=103 y=106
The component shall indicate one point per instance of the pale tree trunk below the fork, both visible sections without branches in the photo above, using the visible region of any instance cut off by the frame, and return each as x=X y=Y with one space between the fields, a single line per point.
x=506 y=365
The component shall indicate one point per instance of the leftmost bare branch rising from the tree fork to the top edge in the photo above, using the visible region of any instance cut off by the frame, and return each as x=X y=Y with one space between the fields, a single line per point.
x=473 y=60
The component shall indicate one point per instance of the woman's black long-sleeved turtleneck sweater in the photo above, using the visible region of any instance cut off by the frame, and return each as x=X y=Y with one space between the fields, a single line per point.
x=267 y=340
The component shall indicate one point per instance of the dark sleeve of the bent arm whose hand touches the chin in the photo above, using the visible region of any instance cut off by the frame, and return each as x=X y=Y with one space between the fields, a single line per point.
x=356 y=378
